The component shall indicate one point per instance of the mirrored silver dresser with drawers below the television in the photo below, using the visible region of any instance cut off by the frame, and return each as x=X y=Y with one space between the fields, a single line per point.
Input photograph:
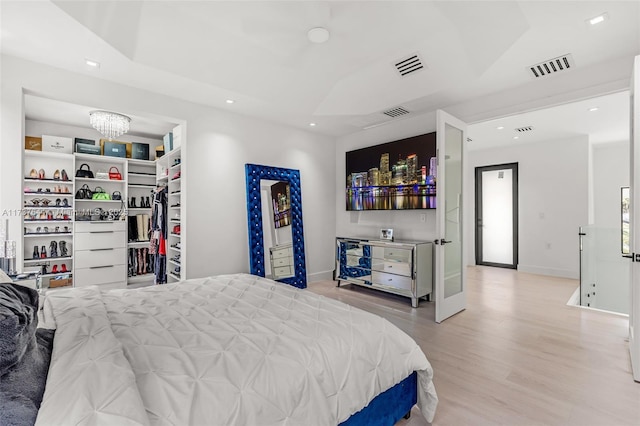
x=403 y=268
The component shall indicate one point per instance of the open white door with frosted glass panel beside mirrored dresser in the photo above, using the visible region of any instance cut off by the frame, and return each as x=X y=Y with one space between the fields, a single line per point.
x=449 y=265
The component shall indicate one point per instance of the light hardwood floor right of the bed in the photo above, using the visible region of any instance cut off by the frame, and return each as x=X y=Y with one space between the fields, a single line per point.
x=517 y=355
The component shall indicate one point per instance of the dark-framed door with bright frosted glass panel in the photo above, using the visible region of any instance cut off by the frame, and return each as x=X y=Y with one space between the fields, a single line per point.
x=497 y=215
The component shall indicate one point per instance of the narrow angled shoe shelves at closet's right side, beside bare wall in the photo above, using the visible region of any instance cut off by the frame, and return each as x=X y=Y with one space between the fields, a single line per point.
x=170 y=173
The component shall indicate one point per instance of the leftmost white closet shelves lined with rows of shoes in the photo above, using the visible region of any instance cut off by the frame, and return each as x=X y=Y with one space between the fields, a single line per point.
x=47 y=215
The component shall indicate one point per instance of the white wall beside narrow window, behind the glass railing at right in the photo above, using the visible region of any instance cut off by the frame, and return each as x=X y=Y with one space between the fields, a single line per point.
x=612 y=271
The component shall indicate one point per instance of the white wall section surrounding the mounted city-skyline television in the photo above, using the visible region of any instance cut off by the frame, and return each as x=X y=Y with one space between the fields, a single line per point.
x=406 y=224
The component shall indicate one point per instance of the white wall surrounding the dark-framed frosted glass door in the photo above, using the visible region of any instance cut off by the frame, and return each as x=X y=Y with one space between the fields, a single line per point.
x=553 y=202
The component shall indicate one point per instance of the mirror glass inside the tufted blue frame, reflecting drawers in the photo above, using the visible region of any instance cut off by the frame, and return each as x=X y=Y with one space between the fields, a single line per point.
x=276 y=225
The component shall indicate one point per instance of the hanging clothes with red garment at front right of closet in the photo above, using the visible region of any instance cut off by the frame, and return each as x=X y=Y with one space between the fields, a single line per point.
x=158 y=244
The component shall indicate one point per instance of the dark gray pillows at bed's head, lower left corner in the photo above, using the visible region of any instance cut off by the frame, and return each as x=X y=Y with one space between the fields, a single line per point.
x=25 y=353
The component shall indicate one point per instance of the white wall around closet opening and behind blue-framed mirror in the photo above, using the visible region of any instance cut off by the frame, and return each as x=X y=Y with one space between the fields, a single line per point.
x=219 y=143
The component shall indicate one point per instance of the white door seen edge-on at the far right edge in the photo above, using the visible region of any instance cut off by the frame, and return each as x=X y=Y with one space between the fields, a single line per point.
x=634 y=223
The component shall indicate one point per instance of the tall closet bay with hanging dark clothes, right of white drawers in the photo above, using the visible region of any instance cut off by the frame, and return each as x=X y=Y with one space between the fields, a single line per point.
x=141 y=183
